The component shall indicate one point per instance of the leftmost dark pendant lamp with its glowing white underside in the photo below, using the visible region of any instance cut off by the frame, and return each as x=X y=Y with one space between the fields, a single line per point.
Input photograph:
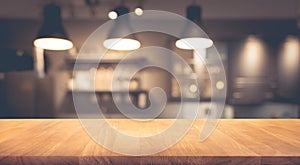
x=52 y=35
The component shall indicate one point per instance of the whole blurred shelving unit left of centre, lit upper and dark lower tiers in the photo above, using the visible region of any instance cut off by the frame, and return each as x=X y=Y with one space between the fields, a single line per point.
x=104 y=79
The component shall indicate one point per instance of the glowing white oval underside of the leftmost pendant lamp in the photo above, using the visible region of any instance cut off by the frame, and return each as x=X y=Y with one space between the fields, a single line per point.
x=53 y=43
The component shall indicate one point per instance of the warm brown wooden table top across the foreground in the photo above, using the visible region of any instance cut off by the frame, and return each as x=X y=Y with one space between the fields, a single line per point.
x=235 y=141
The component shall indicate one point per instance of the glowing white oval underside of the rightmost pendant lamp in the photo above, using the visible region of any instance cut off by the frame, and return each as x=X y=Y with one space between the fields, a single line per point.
x=194 y=43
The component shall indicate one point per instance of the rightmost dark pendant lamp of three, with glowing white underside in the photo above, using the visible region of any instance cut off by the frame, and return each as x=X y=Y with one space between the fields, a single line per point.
x=191 y=37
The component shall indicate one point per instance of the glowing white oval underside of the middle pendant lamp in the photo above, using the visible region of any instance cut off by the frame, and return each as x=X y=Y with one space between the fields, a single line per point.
x=121 y=44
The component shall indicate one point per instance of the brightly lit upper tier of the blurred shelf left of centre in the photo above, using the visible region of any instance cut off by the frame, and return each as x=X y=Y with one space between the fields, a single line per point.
x=91 y=76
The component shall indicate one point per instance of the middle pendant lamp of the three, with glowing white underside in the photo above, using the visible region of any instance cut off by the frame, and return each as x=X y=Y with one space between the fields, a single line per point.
x=115 y=39
